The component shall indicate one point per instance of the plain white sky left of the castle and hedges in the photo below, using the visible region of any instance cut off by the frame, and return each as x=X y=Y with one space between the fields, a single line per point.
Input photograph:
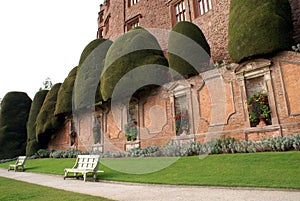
x=40 y=39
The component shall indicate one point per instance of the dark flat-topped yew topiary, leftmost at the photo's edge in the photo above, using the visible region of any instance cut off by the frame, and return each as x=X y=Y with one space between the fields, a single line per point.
x=15 y=108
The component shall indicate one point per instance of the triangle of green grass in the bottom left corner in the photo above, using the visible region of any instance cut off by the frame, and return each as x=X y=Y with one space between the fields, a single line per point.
x=16 y=190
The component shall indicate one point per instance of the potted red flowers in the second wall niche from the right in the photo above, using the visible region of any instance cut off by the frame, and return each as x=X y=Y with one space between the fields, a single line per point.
x=182 y=125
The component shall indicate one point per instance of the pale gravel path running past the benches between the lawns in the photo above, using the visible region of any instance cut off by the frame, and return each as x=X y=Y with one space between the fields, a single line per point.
x=147 y=192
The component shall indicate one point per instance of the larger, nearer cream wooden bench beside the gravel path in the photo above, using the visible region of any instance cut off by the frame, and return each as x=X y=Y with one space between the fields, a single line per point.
x=84 y=164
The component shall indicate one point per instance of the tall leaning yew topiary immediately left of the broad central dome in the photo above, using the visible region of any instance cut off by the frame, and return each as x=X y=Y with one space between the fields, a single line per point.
x=86 y=87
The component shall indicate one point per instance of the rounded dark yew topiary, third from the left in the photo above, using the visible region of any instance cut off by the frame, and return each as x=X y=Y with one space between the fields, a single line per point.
x=47 y=123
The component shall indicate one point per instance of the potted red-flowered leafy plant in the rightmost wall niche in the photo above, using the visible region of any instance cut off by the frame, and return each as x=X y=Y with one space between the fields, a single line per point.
x=259 y=109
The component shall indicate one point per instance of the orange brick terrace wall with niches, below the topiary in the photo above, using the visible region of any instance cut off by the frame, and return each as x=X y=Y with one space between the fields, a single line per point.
x=216 y=103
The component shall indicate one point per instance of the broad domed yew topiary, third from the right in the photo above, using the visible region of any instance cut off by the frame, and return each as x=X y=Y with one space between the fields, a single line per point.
x=130 y=51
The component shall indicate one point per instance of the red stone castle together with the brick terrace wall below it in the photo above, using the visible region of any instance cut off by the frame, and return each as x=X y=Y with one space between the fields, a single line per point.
x=213 y=103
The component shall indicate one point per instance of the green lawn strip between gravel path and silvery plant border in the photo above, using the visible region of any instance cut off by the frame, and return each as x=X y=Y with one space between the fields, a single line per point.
x=273 y=169
